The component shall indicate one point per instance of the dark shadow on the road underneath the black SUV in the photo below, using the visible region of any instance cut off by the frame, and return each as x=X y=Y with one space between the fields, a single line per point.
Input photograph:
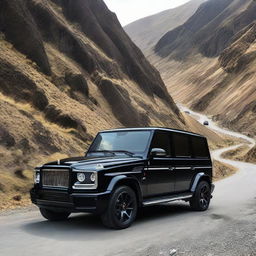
x=89 y=227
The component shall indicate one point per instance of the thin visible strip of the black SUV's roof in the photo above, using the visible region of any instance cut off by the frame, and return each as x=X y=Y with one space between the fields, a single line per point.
x=153 y=129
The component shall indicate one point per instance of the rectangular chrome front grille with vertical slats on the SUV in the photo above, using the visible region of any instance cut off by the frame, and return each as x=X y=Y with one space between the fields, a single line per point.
x=58 y=178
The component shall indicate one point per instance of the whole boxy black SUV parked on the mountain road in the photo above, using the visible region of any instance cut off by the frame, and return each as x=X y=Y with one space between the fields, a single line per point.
x=125 y=169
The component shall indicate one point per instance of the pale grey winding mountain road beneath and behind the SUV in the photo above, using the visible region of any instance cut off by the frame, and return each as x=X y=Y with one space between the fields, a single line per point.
x=227 y=228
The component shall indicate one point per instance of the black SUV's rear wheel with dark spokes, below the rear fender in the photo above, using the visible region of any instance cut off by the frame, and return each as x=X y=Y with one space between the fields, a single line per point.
x=202 y=197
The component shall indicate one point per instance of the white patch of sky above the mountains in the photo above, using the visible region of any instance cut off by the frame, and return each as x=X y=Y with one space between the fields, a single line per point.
x=128 y=11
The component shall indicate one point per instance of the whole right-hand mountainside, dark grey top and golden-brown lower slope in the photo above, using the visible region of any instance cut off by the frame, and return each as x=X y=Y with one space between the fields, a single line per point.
x=212 y=58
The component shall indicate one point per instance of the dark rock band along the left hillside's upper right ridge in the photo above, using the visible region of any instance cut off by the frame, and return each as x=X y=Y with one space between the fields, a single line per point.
x=92 y=15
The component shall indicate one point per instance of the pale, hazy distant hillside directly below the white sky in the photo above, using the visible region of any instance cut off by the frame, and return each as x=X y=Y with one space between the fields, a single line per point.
x=147 y=31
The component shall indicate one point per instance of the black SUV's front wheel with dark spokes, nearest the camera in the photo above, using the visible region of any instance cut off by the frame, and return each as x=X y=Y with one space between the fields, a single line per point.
x=122 y=209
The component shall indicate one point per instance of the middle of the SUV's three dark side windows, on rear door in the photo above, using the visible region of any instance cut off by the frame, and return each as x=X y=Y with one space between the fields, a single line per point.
x=181 y=145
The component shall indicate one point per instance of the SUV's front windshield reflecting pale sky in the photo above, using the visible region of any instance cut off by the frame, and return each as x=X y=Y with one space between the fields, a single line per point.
x=130 y=141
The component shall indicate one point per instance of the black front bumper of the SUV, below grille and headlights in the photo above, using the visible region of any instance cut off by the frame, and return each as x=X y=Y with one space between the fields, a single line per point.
x=74 y=202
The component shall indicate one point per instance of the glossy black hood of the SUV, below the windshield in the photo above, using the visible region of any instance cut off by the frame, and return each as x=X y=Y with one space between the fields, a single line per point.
x=95 y=163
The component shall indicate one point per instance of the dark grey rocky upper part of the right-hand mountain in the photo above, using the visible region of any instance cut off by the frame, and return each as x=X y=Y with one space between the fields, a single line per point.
x=209 y=31
